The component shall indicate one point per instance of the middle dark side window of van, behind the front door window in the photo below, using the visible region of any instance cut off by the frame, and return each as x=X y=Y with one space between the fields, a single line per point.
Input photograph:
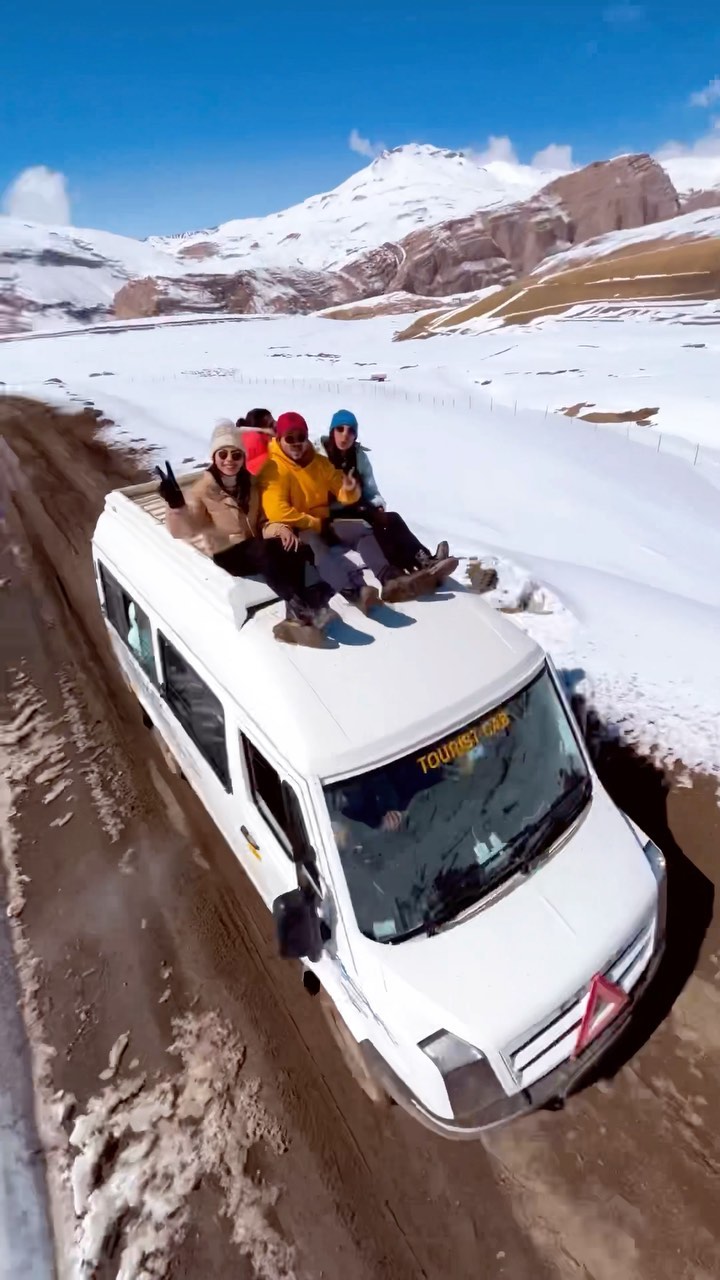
x=198 y=710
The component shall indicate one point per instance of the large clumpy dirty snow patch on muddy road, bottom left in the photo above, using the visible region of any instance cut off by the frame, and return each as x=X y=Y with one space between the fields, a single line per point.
x=142 y=1150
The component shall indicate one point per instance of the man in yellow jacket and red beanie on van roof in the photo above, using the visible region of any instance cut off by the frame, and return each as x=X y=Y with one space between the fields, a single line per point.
x=298 y=486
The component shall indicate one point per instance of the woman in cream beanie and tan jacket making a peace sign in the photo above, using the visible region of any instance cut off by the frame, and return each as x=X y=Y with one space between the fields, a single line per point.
x=224 y=506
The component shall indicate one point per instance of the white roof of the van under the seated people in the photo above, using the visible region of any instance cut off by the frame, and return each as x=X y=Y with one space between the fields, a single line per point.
x=389 y=683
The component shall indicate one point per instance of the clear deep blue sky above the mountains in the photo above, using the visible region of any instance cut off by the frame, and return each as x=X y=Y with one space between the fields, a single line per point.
x=170 y=117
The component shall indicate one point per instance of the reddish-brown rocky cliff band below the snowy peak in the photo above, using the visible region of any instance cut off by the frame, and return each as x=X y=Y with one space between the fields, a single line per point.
x=459 y=257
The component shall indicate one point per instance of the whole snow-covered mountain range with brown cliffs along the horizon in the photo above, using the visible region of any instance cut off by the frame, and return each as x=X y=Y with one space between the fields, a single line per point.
x=418 y=222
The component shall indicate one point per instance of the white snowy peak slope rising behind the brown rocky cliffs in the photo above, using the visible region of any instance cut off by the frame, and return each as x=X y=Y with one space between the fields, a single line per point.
x=402 y=191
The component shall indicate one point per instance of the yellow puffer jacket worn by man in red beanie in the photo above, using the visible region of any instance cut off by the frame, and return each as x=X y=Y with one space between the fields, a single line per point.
x=300 y=496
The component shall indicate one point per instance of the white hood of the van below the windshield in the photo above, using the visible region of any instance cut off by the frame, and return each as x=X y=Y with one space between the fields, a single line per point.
x=495 y=975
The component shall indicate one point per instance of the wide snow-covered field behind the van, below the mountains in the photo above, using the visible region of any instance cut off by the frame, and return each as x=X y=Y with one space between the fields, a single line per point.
x=623 y=541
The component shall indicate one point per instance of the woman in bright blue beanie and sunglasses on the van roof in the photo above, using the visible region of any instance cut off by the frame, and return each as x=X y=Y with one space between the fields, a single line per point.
x=395 y=538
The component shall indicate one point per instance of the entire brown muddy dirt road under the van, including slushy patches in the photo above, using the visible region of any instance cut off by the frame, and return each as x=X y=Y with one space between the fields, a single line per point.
x=229 y=1139
